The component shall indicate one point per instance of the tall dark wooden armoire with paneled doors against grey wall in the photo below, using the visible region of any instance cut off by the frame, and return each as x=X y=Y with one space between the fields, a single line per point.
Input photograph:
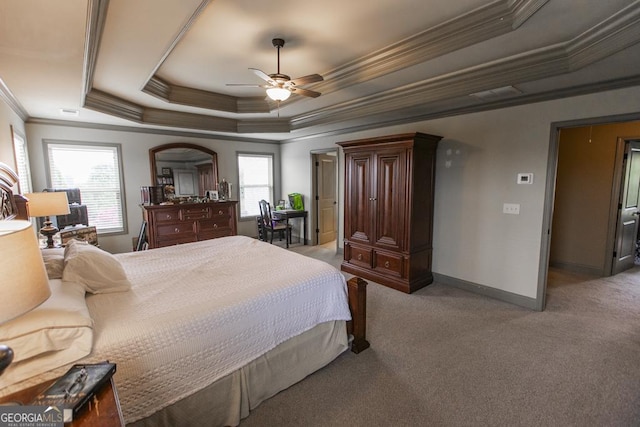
x=389 y=191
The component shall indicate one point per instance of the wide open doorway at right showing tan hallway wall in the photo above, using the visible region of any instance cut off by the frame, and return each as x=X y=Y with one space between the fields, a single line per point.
x=585 y=181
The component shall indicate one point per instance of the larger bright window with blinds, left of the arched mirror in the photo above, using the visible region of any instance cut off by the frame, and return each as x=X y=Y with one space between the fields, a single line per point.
x=96 y=170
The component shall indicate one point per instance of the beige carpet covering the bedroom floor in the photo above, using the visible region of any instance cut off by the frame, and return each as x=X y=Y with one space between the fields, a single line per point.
x=446 y=357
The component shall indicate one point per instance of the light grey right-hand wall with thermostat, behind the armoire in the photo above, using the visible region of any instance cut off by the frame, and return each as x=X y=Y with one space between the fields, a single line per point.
x=477 y=164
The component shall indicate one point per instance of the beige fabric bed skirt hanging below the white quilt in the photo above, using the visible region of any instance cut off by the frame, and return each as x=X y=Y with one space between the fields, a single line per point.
x=229 y=400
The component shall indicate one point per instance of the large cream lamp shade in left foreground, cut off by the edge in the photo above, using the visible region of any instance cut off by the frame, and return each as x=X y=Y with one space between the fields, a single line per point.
x=24 y=284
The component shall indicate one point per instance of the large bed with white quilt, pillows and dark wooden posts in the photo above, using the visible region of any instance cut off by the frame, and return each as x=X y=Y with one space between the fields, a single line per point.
x=201 y=333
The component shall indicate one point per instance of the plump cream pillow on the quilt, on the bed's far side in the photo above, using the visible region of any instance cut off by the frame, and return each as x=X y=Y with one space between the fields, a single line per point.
x=99 y=271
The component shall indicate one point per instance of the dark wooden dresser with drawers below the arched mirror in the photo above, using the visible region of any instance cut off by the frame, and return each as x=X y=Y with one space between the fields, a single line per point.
x=189 y=222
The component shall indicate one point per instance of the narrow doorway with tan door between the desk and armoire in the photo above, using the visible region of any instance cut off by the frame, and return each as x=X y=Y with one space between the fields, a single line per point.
x=324 y=198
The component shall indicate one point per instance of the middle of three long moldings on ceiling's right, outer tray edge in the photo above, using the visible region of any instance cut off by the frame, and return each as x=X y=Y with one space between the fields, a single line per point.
x=618 y=32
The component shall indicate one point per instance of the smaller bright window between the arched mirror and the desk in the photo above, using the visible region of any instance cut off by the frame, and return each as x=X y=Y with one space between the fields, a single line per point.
x=255 y=180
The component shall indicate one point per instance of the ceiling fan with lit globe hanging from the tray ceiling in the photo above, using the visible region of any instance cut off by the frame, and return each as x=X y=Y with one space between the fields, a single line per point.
x=280 y=86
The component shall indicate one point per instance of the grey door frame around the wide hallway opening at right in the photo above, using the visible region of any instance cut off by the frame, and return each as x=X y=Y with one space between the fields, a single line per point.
x=550 y=189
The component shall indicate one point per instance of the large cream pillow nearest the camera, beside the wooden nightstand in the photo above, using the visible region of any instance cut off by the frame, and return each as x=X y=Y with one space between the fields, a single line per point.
x=56 y=333
